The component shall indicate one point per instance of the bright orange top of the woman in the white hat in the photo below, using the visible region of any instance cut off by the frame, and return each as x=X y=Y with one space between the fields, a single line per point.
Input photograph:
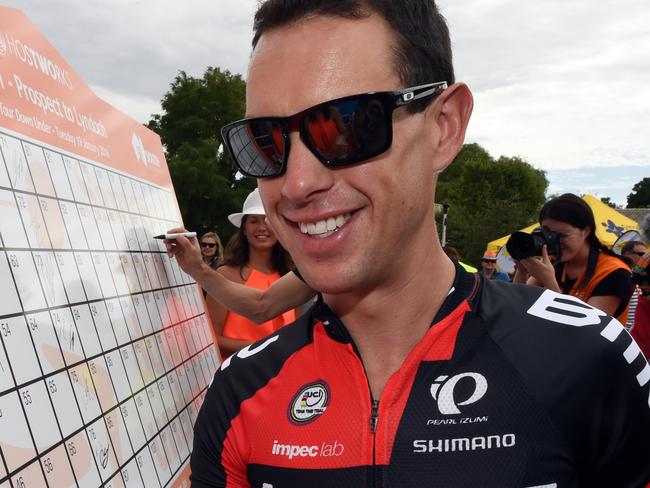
x=237 y=327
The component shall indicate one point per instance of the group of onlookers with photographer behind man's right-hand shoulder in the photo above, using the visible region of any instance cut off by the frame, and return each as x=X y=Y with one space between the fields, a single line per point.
x=587 y=269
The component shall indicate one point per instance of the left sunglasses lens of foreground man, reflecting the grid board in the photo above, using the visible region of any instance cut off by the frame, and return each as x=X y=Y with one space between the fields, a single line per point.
x=258 y=147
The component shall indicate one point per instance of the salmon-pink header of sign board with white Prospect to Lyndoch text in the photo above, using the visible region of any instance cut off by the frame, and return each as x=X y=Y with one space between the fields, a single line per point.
x=42 y=97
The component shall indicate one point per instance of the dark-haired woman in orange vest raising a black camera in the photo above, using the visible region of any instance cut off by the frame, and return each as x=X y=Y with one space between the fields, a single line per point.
x=584 y=268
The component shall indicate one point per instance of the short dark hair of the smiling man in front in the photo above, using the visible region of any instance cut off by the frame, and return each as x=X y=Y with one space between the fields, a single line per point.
x=422 y=53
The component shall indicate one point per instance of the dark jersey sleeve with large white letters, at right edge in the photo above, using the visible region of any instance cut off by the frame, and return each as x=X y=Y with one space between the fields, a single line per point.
x=586 y=371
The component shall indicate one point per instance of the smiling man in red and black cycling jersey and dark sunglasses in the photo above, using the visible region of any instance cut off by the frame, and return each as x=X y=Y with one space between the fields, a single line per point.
x=408 y=371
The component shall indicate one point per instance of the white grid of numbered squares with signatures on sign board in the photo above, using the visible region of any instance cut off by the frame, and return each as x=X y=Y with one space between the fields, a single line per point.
x=105 y=349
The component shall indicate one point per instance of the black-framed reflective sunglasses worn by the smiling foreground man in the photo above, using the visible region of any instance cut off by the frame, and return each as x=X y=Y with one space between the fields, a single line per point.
x=339 y=132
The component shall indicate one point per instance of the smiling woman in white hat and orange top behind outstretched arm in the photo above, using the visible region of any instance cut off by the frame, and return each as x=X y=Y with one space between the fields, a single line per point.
x=253 y=257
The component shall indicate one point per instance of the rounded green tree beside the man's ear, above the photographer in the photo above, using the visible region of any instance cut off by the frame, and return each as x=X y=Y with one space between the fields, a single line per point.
x=488 y=198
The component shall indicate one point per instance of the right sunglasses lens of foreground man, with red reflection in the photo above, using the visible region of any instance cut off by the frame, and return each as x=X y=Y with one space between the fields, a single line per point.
x=349 y=131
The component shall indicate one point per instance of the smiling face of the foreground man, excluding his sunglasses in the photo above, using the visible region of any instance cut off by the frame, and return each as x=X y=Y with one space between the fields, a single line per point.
x=382 y=210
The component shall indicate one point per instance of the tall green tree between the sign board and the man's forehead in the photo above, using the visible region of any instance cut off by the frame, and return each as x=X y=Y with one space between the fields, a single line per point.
x=194 y=110
